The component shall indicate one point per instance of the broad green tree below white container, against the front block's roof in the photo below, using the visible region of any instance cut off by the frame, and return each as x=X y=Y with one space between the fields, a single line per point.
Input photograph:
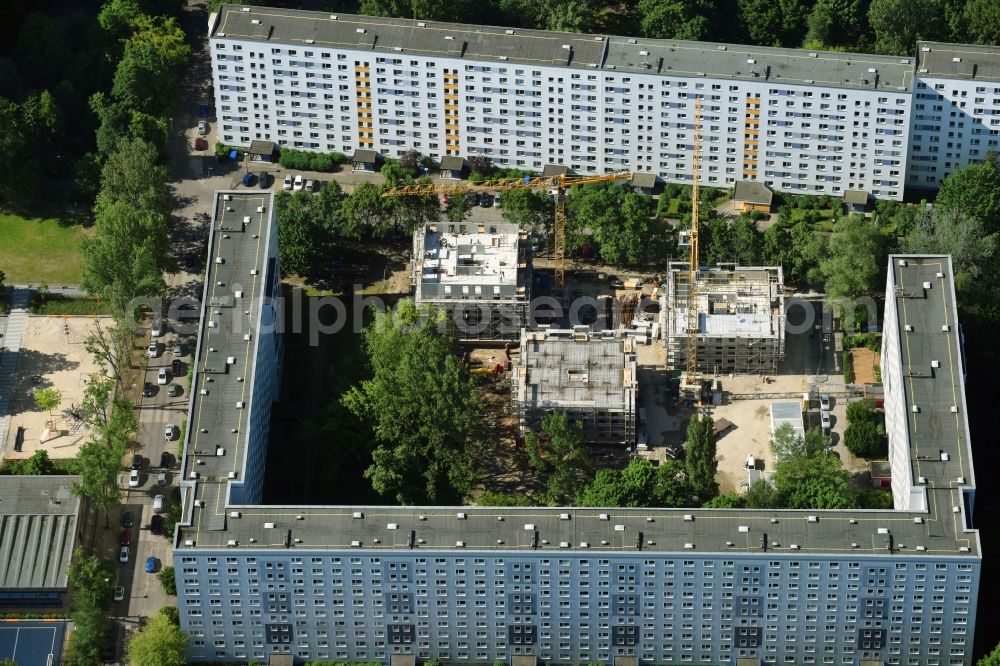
x=818 y=482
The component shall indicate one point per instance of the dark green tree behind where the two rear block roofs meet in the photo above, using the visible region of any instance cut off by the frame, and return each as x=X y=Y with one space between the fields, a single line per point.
x=898 y=24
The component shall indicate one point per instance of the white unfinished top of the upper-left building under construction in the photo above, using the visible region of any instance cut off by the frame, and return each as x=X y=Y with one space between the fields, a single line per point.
x=470 y=261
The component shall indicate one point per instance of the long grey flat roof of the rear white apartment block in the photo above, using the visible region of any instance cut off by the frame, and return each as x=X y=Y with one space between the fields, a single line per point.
x=519 y=46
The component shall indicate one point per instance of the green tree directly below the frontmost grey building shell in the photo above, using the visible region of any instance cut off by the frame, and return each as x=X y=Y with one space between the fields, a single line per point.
x=559 y=454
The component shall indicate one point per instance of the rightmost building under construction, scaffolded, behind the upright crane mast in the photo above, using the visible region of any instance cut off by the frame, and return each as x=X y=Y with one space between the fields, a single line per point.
x=741 y=318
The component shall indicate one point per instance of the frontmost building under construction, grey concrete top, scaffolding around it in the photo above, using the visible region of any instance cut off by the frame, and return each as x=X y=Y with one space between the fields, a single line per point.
x=590 y=376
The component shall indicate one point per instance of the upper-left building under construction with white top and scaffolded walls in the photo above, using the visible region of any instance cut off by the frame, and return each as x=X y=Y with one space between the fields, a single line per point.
x=479 y=273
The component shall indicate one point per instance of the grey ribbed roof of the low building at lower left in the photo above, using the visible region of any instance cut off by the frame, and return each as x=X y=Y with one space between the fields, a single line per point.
x=38 y=523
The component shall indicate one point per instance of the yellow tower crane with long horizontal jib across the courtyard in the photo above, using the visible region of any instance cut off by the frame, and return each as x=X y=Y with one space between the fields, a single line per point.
x=557 y=186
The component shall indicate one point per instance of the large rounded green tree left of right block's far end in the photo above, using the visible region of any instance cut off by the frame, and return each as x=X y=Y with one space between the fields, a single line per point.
x=855 y=259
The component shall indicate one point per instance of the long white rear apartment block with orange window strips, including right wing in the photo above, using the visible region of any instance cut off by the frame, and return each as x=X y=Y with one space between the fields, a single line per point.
x=799 y=121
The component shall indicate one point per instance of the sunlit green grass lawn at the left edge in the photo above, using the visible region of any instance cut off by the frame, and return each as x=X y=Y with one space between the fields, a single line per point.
x=34 y=250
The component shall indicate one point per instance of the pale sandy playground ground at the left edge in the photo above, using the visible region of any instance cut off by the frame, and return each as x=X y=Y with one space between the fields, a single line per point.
x=52 y=355
